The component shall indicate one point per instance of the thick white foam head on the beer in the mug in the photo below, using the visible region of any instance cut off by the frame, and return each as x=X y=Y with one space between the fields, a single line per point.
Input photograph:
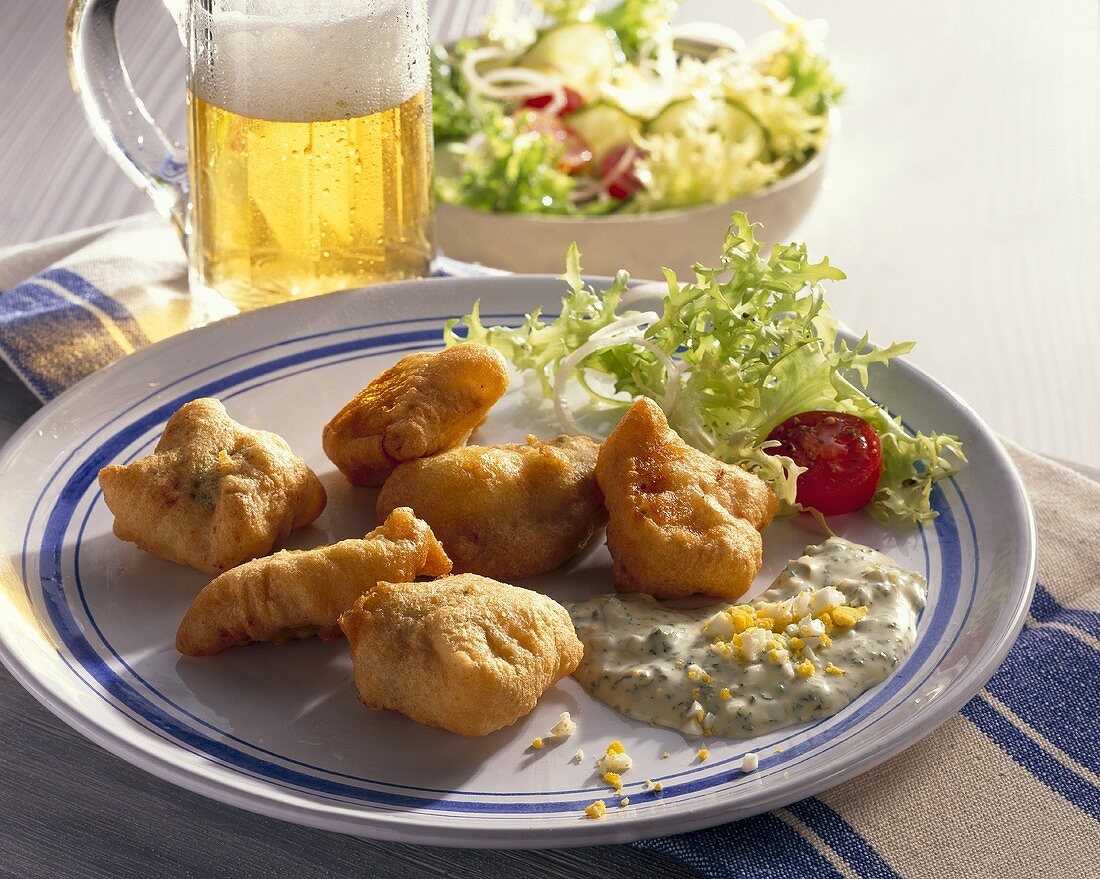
x=309 y=61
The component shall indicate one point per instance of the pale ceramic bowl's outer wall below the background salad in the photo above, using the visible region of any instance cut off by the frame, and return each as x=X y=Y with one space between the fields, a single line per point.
x=643 y=244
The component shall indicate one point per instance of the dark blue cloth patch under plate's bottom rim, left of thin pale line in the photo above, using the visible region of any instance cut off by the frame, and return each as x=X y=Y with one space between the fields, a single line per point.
x=762 y=848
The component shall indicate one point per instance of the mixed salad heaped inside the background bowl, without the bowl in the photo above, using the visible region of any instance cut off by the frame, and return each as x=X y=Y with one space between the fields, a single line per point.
x=618 y=111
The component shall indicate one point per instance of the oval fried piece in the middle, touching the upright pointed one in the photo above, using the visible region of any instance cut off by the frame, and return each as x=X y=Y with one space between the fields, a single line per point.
x=509 y=511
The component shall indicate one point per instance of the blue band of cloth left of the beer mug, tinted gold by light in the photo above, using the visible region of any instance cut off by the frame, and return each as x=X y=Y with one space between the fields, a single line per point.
x=51 y=342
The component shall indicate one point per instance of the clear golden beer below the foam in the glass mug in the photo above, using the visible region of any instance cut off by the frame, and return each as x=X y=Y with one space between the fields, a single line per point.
x=289 y=210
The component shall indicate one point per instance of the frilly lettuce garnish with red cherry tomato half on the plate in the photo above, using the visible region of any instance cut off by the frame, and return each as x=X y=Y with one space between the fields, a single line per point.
x=747 y=365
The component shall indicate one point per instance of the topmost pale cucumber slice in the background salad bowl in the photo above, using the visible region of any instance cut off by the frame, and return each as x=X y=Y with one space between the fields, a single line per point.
x=585 y=54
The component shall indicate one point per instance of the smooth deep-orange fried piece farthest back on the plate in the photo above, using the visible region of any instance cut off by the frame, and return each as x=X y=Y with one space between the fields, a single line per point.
x=424 y=404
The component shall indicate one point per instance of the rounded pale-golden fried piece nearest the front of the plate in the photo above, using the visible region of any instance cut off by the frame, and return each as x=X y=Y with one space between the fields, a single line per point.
x=465 y=653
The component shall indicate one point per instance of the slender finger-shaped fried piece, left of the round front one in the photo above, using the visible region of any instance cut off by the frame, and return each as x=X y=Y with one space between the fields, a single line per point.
x=296 y=595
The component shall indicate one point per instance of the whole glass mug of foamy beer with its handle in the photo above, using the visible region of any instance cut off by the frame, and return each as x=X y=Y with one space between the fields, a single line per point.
x=310 y=163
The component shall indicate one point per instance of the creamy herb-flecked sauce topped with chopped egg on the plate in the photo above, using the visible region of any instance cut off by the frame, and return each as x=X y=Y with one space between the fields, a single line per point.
x=837 y=622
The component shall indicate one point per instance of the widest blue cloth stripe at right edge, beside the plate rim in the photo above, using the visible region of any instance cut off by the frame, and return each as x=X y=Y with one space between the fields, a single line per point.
x=1050 y=680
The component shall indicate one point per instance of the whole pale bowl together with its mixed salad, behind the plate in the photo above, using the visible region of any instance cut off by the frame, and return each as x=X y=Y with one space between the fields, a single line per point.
x=626 y=134
